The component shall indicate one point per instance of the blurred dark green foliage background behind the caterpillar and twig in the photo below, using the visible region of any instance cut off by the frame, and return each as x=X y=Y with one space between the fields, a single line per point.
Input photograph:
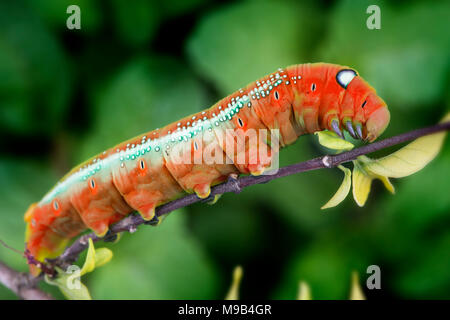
x=66 y=95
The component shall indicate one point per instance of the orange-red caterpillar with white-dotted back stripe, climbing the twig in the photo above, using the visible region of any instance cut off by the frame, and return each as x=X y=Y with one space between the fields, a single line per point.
x=141 y=173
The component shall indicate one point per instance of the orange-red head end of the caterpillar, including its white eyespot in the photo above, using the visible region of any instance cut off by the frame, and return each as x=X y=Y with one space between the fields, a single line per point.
x=368 y=109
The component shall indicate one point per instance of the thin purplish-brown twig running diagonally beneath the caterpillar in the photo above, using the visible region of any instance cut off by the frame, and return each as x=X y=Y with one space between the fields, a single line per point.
x=130 y=223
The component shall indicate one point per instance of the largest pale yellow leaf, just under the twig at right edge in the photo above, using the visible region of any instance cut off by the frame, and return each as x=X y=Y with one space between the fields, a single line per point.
x=409 y=159
